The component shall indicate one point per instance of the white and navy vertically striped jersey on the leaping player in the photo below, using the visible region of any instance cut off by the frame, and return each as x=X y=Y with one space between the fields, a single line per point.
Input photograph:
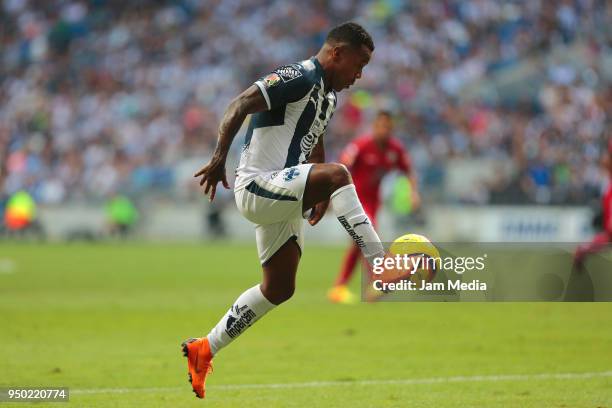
x=299 y=110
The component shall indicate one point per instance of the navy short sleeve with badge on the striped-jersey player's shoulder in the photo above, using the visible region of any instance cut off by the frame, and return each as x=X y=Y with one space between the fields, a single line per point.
x=284 y=85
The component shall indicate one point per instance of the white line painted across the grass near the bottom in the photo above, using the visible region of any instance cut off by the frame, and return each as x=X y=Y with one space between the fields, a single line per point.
x=318 y=384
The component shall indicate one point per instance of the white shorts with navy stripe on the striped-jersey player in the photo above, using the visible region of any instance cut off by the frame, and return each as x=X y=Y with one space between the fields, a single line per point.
x=273 y=202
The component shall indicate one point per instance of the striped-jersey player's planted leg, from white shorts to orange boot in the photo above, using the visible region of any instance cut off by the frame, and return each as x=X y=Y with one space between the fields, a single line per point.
x=274 y=205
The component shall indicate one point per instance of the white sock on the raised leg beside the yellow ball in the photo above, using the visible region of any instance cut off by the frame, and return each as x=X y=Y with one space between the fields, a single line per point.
x=351 y=215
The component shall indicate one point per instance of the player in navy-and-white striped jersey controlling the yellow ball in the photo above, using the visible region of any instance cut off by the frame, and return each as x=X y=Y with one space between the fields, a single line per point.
x=282 y=175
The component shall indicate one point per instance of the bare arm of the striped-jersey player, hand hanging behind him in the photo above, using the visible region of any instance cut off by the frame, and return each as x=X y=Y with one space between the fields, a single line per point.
x=249 y=101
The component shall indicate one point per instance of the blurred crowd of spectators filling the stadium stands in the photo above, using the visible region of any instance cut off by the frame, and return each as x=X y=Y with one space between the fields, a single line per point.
x=104 y=96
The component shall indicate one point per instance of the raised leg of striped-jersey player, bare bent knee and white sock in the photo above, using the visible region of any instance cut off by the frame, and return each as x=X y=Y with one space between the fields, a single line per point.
x=332 y=181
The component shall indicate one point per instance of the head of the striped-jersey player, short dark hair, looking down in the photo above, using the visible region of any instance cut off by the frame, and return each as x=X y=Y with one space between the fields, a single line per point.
x=348 y=48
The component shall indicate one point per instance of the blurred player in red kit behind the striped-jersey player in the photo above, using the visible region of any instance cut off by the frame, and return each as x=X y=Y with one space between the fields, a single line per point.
x=369 y=158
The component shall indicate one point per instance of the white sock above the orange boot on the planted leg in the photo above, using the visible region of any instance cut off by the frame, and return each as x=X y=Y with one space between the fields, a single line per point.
x=247 y=309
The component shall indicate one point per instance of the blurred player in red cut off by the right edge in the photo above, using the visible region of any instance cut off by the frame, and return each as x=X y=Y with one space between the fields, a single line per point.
x=602 y=240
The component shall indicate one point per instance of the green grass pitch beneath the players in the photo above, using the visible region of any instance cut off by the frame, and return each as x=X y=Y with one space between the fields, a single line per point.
x=107 y=321
